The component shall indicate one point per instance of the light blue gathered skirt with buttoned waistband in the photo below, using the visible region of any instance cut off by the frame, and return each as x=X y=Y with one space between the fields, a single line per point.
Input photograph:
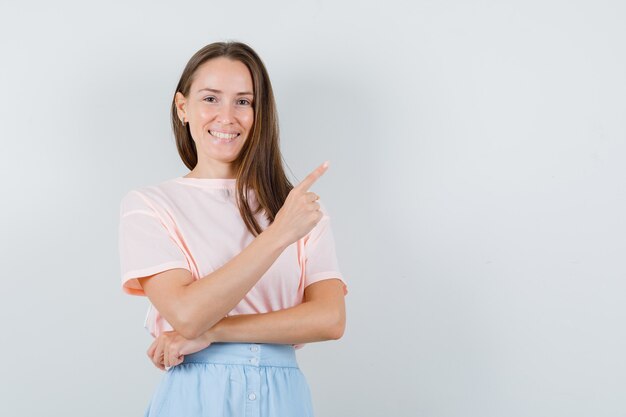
x=234 y=380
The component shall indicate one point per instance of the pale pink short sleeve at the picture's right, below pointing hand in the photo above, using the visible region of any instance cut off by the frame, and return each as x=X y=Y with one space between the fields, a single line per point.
x=321 y=258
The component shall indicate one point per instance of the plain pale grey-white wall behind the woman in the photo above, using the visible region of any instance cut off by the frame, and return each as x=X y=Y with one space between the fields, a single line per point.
x=476 y=190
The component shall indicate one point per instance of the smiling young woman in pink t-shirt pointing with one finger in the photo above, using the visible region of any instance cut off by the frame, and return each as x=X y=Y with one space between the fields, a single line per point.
x=239 y=265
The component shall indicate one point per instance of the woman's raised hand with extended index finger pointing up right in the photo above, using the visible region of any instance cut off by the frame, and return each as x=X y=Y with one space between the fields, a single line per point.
x=300 y=212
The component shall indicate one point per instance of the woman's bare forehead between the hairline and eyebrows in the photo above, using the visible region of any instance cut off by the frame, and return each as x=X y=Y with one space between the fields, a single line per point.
x=222 y=74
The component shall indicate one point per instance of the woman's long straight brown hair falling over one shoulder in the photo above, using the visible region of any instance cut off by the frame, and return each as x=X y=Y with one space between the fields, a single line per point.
x=259 y=164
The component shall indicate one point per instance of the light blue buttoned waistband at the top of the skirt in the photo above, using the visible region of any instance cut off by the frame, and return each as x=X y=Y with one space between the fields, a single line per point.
x=251 y=354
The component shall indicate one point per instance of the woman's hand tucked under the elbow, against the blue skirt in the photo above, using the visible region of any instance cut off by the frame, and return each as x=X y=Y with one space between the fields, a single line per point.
x=169 y=348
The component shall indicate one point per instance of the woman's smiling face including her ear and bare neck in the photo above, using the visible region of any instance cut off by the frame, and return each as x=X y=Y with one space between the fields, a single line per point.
x=220 y=114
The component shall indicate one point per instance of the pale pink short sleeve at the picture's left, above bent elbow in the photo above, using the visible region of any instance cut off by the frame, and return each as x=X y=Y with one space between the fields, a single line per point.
x=146 y=247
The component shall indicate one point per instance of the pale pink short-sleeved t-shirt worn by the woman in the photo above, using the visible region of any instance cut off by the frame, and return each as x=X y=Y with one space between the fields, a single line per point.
x=194 y=223
